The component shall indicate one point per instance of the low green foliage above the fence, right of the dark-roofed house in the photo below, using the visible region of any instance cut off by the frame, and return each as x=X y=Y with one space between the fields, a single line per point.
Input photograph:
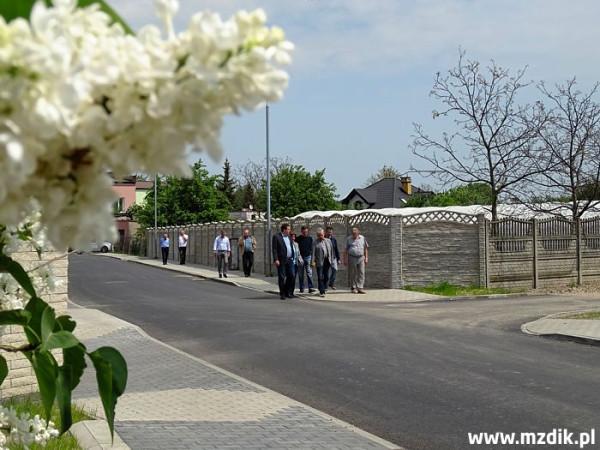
x=463 y=195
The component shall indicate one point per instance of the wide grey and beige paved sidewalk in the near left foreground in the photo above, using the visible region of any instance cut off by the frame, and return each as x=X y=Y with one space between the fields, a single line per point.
x=176 y=401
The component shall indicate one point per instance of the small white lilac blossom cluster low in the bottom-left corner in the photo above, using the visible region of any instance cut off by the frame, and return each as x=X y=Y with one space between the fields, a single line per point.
x=23 y=429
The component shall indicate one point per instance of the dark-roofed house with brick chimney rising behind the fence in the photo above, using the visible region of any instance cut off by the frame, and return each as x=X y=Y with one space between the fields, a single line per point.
x=389 y=192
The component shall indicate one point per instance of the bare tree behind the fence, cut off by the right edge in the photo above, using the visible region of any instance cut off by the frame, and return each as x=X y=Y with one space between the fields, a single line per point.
x=569 y=158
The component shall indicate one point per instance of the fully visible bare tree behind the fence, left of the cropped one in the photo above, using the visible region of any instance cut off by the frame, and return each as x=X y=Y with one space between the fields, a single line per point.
x=495 y=134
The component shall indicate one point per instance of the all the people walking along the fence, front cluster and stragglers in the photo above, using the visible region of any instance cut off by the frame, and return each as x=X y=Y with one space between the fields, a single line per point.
x=294 y=257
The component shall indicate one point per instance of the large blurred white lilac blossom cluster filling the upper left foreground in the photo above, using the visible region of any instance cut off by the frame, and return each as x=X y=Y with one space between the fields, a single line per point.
x=80 y=99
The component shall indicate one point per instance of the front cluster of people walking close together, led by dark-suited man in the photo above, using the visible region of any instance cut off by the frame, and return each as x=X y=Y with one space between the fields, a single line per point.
x=298 y=255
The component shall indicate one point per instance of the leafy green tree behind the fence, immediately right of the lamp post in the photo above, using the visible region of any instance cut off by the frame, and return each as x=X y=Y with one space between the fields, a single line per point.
x=295 y=190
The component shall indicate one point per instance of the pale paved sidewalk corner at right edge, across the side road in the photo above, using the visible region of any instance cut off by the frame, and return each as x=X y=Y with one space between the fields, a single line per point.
x=556 y=324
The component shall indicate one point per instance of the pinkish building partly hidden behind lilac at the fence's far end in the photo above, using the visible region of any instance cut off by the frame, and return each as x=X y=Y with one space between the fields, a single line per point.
x=130 y=191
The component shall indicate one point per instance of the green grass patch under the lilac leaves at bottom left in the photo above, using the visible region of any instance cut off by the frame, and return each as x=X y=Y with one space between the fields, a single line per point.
x=32 y=405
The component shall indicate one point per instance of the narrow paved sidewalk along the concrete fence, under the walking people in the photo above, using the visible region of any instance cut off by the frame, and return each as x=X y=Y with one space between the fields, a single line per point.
x=268 y=284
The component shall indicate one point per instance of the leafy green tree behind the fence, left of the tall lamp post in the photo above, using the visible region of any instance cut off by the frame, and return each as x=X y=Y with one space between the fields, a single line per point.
x=184 y=200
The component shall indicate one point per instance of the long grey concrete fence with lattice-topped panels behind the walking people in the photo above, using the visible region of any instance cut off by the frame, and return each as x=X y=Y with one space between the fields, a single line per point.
x=430 y=247
